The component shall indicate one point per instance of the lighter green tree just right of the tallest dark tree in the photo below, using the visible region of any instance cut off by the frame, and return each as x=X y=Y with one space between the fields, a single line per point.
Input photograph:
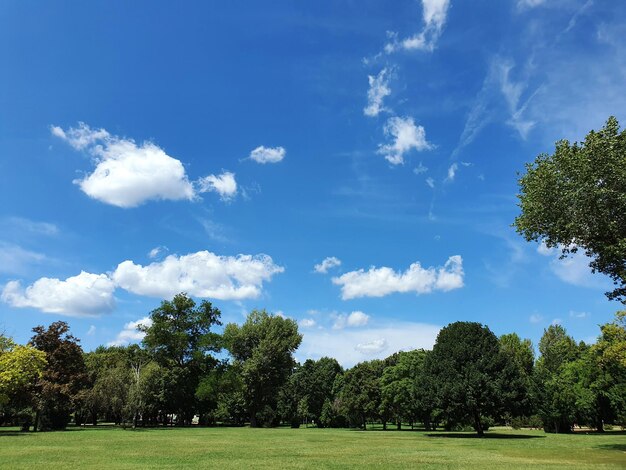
x=263 y=347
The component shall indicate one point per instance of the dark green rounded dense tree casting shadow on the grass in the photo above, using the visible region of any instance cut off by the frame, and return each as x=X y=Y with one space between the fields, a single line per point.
x=471 y=374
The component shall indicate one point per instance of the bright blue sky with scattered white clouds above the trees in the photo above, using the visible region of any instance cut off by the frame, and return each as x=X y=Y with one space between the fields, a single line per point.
x=349 y=164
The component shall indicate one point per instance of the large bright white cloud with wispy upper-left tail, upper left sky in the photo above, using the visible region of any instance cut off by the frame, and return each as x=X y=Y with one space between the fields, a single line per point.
x=127 y=174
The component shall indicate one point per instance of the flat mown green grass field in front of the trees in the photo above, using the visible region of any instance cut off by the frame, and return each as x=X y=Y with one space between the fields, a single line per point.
x=106 y=447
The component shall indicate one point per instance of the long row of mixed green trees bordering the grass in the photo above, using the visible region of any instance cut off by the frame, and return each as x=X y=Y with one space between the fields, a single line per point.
x=177 y=376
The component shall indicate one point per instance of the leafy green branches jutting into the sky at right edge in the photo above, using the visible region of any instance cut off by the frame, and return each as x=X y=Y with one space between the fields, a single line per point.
x=576 y=198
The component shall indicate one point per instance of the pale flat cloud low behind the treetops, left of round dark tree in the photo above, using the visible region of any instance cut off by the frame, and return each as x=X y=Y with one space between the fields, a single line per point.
x=350 y=346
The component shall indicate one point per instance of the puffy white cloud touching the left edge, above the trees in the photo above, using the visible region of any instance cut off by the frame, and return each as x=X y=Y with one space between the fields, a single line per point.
x=83 y=295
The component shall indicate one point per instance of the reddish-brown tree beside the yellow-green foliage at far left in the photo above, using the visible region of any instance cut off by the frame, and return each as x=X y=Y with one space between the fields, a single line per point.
x=63 y=378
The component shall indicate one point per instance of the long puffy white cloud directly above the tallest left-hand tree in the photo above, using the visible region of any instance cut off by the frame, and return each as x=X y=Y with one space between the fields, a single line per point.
x=201 y=274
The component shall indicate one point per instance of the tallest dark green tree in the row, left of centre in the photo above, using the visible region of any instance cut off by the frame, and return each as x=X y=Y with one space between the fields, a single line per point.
x=181 y=340
